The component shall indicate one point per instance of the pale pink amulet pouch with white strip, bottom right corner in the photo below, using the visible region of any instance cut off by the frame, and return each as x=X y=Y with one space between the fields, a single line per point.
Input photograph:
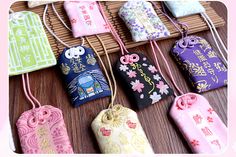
x=199 y=123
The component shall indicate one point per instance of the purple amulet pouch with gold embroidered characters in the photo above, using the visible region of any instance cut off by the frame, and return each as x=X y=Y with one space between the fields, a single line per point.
x=199 y=61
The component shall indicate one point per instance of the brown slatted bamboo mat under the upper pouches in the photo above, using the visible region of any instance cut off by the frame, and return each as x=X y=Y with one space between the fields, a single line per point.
x=195 y=23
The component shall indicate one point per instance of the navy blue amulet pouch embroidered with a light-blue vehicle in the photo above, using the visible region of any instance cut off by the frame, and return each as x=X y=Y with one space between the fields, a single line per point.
x=82 y=74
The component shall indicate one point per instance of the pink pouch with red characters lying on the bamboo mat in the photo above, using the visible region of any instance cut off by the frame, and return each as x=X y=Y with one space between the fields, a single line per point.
x=85 y=18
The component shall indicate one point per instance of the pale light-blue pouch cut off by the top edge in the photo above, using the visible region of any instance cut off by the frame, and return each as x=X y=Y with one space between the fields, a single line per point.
x=182 y=8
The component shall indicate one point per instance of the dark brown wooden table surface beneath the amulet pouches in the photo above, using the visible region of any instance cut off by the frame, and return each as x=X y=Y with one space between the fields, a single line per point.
x=47 y=85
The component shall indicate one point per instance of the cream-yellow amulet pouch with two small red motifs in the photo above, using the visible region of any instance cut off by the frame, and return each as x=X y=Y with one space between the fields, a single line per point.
x=118 y=131
